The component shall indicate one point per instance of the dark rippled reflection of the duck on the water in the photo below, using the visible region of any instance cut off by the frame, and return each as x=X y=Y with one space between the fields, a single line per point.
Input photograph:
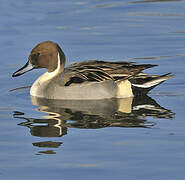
x=62 y=114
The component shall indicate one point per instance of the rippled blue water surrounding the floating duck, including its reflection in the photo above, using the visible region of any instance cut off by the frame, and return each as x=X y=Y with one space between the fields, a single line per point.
x=94 y=140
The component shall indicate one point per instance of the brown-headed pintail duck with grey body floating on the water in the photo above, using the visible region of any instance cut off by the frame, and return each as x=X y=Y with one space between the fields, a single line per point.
x=86 y=80
